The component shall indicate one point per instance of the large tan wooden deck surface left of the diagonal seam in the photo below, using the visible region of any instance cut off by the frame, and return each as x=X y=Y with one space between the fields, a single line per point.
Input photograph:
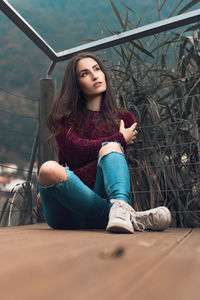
x=40 y=263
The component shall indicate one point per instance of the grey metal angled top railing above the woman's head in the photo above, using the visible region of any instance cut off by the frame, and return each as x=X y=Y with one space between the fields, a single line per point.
x=117 y=39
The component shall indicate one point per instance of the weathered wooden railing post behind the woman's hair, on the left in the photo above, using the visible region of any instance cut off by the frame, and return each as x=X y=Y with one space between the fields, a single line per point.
x=46 y=149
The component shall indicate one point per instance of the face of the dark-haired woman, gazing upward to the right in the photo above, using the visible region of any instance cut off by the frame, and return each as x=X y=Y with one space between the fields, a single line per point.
x=91 y=78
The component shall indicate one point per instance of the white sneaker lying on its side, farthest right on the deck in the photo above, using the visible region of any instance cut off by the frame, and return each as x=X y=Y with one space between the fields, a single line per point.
x=155 y=219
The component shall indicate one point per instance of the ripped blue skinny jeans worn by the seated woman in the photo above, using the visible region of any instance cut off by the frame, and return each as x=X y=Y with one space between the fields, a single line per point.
x=70 y=204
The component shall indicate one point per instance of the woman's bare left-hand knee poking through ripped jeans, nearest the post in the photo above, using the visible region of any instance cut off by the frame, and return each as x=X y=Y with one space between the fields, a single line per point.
x=51 y=172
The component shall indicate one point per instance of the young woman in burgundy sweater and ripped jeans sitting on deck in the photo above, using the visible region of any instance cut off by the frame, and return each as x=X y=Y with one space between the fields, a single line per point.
x=90 y=186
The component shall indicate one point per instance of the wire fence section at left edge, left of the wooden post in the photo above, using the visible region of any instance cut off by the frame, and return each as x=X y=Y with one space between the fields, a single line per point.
x=18 y=205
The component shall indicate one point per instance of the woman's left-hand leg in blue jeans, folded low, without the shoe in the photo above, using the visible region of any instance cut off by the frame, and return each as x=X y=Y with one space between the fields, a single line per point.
x=62 y=189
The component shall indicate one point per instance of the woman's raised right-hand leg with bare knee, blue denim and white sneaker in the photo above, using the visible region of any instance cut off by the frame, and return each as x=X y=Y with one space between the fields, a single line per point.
x=116 y=179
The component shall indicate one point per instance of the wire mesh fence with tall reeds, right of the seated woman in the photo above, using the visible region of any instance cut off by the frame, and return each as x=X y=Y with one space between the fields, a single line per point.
x=165 y=98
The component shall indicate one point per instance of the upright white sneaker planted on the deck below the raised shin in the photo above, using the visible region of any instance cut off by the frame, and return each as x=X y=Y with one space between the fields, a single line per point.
x=120 y=217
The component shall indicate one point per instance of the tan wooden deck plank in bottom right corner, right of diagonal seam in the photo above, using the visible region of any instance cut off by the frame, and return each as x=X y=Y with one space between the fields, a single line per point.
x=178 y=275
